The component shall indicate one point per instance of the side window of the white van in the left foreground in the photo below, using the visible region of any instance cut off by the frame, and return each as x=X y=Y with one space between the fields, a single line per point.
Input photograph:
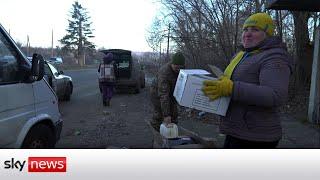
x=8 y=62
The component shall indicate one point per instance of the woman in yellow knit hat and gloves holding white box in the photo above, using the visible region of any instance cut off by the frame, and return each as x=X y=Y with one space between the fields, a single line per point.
x=257 y=81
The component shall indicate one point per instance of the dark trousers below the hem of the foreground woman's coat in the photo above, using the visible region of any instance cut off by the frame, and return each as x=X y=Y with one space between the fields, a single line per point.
x=236 y=143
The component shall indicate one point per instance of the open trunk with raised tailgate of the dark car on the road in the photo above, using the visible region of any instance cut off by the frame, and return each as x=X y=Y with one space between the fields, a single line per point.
x=123 y=62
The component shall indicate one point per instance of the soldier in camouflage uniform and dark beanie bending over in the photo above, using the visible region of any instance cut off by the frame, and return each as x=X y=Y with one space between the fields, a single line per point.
x=165 y=105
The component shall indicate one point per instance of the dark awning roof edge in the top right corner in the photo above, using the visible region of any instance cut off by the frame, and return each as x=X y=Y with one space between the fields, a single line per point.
x=294 y=5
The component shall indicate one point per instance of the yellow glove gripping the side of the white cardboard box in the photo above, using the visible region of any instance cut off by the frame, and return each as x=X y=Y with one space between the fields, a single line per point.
x=217 y=88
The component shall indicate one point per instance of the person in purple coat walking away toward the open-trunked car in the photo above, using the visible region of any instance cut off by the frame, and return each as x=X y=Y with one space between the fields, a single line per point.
x=107 y=78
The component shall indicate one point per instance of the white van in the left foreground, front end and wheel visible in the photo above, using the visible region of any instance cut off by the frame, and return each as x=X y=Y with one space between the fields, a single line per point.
x=29 y=114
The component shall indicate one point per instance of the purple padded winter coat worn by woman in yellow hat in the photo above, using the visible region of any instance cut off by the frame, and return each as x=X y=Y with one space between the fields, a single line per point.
x=260 y=86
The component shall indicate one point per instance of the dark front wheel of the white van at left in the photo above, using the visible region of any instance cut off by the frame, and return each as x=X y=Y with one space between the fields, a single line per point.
x=39 y=137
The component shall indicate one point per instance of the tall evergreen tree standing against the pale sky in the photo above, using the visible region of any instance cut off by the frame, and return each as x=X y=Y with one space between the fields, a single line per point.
x=78 y=33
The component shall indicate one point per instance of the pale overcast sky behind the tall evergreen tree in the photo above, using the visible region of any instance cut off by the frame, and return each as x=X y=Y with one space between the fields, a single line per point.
x=117 y=23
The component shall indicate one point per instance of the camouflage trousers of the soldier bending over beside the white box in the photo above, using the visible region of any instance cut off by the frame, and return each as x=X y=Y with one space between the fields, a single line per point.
x=157 y=116
